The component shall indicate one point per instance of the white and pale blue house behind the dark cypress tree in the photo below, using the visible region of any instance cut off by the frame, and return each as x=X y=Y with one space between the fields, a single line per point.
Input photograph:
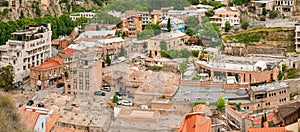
x=176 y=24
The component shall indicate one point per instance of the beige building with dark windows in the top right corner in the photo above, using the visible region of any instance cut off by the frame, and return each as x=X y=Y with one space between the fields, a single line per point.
x=285 y=7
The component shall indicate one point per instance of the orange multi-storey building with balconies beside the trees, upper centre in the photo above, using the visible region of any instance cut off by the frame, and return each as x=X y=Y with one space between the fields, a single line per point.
x=131 y=22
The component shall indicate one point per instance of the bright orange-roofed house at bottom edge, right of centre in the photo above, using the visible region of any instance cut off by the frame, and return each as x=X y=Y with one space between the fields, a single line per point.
x=195 y=122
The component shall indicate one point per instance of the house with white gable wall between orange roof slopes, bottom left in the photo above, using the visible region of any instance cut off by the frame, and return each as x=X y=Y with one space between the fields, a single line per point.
x=38 y=119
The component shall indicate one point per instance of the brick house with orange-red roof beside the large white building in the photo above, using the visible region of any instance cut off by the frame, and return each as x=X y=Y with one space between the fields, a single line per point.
x=49 y=73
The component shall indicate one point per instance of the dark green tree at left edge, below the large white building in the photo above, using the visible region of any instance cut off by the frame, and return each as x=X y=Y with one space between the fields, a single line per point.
x=7 y=78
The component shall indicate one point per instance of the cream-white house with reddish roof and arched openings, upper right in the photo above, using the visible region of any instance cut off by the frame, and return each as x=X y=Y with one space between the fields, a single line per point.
x=224 y=14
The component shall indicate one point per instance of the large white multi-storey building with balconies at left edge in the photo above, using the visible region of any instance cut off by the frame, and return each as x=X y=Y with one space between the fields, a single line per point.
x=27 y=48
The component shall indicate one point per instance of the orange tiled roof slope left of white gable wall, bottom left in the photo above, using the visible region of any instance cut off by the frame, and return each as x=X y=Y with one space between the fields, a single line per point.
x=28 y=118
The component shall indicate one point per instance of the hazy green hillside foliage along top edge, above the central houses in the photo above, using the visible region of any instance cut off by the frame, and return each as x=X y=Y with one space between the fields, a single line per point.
x=145 y=5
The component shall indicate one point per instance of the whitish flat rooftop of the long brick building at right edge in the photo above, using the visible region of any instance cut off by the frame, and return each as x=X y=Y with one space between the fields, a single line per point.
x=270 y=86
